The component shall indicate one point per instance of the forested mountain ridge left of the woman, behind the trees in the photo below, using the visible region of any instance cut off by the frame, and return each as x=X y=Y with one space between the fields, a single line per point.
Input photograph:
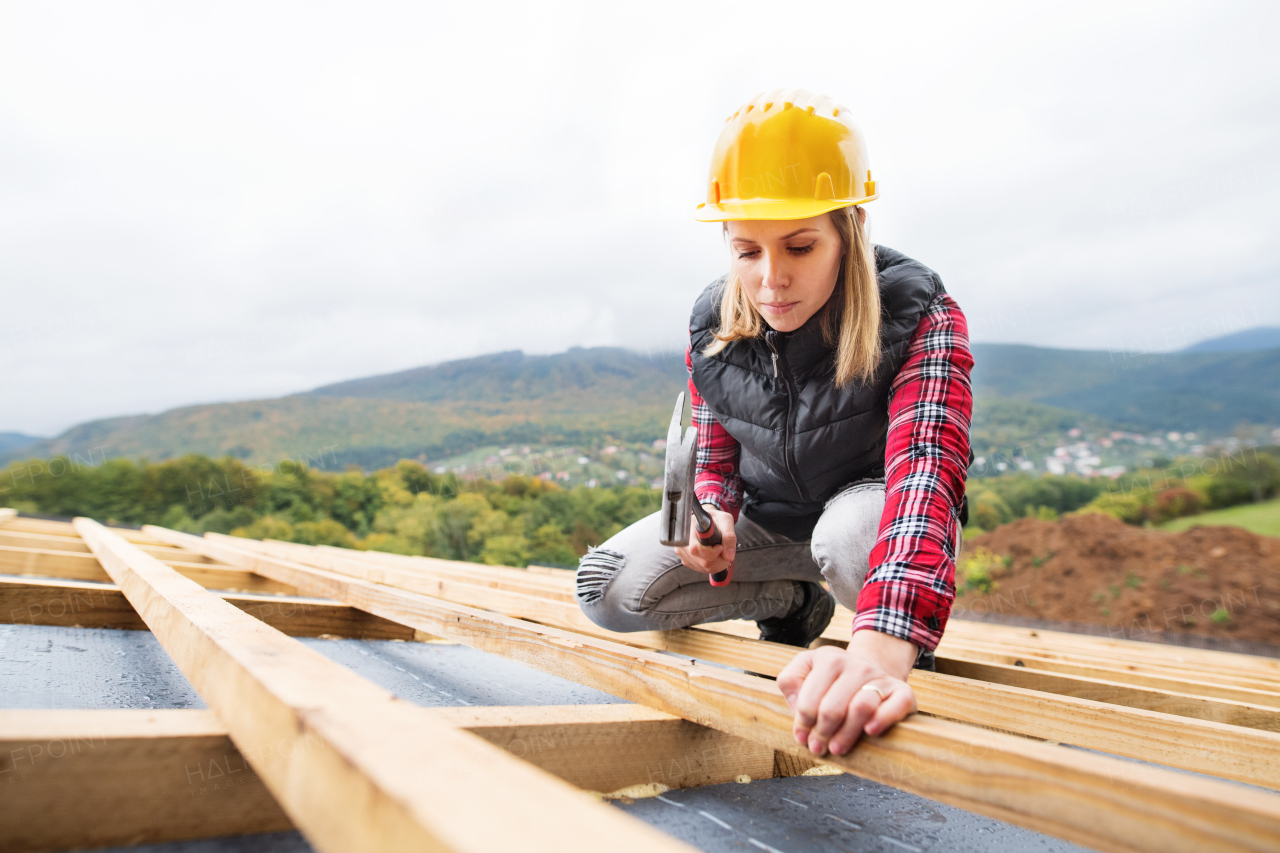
x=427 y=413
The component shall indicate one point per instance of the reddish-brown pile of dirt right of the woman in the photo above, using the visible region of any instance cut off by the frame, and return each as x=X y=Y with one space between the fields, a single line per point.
x=1217 y=582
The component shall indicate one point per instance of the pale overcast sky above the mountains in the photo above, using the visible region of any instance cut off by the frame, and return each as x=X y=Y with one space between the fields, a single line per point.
x=203 y=203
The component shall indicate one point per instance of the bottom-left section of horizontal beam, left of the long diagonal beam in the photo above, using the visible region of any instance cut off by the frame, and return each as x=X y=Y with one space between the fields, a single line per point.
x=88 y=779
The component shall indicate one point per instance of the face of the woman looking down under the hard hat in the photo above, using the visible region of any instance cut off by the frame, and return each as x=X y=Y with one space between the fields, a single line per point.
x=789 y=268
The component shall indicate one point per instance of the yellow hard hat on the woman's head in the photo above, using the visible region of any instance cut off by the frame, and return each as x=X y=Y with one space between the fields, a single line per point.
x=787 y=156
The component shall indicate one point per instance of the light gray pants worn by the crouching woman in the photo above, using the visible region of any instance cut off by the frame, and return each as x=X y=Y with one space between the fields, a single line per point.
x=634 y=585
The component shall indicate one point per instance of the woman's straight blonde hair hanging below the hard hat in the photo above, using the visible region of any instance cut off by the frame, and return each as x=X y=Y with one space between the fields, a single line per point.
x=851 y=320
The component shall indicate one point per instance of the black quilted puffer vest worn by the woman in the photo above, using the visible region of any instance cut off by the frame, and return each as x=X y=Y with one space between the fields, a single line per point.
x=803 y=440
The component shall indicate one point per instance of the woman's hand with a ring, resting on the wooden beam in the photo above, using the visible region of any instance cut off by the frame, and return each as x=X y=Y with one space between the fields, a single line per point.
x=838 y=695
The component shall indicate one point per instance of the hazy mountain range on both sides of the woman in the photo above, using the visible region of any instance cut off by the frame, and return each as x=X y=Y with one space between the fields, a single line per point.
x=600 y=395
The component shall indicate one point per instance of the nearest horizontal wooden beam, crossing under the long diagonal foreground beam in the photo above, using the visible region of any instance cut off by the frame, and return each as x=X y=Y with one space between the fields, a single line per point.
x=124 y=778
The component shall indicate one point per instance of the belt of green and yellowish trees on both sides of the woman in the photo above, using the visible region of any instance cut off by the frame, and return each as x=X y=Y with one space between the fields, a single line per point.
x=522 y=521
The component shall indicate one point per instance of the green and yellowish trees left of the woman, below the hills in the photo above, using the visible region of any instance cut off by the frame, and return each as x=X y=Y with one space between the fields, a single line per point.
x=404 y=509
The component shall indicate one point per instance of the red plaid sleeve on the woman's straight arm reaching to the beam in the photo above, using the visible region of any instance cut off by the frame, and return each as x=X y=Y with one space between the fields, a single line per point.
x=912 y=581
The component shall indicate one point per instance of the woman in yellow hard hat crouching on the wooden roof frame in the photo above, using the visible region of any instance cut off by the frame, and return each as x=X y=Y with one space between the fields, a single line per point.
x=830 y=384
